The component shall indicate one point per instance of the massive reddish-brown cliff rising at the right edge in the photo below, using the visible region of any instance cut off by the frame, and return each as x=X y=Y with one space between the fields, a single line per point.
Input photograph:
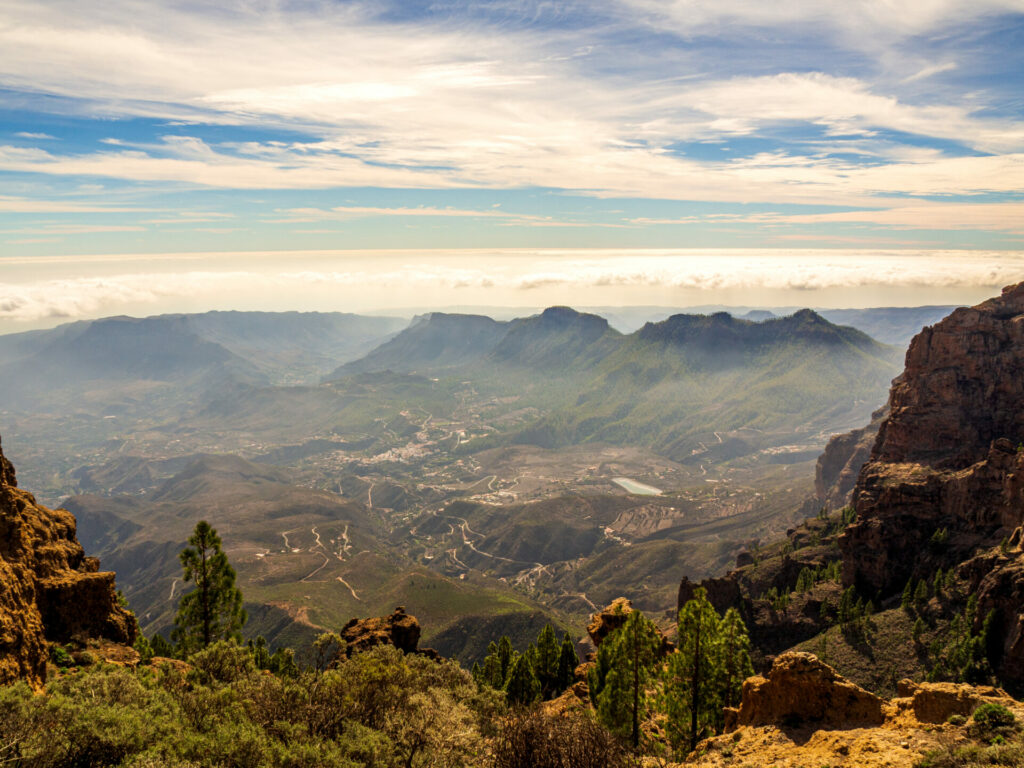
x=949 y=459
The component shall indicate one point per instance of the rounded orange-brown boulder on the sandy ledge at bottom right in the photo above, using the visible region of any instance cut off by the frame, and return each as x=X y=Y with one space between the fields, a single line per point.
x=802 y=690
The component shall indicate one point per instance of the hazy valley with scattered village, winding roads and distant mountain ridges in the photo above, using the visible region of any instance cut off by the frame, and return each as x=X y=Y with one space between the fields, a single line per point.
x=504 y=472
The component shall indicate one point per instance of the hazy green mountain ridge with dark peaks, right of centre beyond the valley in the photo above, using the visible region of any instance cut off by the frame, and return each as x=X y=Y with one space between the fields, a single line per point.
x=677 y=386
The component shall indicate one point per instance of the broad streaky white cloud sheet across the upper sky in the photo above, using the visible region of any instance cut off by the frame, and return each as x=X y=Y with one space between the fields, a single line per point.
x=443 y=107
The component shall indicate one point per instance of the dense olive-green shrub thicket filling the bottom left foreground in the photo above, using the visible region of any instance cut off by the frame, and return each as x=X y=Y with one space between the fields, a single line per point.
x=380 y=709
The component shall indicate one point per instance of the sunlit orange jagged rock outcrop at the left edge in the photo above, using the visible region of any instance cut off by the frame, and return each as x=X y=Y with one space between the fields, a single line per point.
x=50 y=590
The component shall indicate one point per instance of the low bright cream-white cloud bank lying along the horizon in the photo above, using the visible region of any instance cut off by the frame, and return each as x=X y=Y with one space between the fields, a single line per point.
x=363 y=280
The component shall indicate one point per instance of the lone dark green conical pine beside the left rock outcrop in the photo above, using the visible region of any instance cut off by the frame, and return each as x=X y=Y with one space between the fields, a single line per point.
x=212 y=611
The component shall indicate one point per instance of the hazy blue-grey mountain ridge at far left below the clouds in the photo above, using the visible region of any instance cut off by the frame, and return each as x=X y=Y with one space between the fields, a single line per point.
x=135 y=357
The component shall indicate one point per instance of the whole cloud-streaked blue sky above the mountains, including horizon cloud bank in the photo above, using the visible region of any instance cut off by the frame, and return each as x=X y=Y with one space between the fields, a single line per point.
x=362 y=156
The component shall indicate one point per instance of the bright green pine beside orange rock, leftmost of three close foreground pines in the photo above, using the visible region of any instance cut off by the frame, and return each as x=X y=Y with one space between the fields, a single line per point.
x=626 y=660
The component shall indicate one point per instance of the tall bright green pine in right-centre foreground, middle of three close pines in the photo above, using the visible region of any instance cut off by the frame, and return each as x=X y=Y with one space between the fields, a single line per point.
x=693 y=694
